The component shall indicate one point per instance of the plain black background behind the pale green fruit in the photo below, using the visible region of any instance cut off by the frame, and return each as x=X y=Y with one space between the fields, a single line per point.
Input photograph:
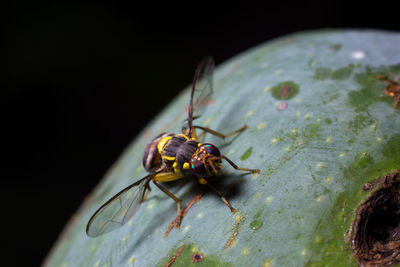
x=80 y=80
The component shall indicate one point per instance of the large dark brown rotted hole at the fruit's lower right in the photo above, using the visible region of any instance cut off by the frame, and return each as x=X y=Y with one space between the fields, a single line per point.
x=375 y=235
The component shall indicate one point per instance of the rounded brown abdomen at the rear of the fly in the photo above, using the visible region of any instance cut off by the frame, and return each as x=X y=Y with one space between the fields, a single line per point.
x=152 y=158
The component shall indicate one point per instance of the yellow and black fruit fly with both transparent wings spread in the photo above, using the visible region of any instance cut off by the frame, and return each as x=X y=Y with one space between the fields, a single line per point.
x=169 y=157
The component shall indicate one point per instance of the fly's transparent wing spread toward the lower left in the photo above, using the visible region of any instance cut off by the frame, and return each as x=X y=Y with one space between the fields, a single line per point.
x=118 y=210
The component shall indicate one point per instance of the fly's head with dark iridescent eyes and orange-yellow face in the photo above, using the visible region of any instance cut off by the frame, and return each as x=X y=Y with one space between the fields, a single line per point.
x=206 y=161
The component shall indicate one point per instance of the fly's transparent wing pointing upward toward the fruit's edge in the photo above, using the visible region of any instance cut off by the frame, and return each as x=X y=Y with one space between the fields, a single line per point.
x=202 y=89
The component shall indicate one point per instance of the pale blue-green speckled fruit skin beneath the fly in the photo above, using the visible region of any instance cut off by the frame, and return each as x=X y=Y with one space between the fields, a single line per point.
x=336 y=133
